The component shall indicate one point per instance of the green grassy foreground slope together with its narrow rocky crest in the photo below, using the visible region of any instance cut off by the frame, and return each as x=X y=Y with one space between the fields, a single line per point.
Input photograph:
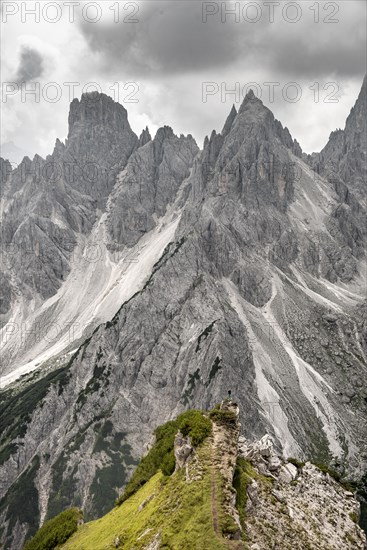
x=188 y=510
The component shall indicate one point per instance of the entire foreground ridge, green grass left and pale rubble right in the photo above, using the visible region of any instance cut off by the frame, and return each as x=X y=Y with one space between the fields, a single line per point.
x=224 y=493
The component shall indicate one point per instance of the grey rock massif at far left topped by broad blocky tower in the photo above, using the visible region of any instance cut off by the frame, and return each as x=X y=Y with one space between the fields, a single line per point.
x=48 y=203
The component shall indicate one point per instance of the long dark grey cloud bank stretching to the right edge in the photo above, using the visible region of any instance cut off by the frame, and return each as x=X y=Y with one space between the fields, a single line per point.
x=171 y=38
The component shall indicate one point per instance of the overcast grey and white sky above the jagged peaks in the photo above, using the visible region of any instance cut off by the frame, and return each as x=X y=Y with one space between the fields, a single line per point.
x=175 y=62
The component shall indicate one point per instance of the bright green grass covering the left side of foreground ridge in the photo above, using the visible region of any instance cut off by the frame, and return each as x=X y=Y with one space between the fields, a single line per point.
x=179 y=511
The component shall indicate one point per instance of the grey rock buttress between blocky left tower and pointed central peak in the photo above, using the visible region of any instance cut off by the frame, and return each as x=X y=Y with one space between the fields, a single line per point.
x=148 y=185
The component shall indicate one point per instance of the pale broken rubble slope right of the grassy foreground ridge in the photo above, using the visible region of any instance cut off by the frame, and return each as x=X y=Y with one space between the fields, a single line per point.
x=302 y=507
